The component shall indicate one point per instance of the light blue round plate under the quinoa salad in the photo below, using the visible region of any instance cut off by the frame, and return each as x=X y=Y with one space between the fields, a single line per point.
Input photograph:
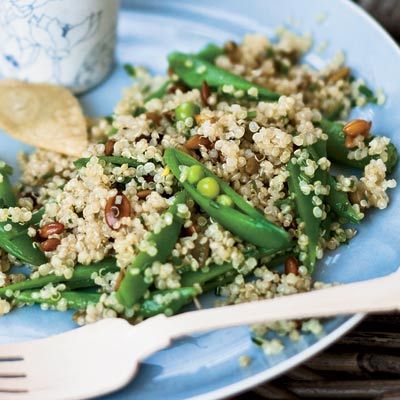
x=206 y=366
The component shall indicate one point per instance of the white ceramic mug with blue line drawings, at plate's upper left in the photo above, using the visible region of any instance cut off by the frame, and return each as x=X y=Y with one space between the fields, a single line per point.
x=66 y=42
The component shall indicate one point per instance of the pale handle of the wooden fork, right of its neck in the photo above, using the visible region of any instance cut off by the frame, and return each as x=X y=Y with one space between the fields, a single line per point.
x=376 y=295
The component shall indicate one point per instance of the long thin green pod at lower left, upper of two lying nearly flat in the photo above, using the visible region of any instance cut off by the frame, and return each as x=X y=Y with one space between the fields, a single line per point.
x=82 y=277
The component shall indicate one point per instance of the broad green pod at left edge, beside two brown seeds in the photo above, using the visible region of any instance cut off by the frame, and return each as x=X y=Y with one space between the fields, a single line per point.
x=14 y=240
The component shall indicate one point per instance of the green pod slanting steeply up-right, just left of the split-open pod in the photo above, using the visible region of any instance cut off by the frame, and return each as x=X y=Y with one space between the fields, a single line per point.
x=133 y=286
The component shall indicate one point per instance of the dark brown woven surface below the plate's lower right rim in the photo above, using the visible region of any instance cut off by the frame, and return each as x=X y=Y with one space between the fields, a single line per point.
x=365 y=364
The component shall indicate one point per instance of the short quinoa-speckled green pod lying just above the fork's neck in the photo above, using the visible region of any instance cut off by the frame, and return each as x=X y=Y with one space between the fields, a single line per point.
x=168 y=302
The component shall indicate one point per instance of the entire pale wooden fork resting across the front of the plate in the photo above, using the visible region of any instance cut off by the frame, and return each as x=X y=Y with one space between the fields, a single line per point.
x=103 y=357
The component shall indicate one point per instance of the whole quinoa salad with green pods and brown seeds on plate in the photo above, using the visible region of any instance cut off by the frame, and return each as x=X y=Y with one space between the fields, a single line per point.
x=210 y=178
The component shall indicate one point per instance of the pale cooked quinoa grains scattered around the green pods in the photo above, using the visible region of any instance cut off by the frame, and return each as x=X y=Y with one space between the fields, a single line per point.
x=245 y=141
